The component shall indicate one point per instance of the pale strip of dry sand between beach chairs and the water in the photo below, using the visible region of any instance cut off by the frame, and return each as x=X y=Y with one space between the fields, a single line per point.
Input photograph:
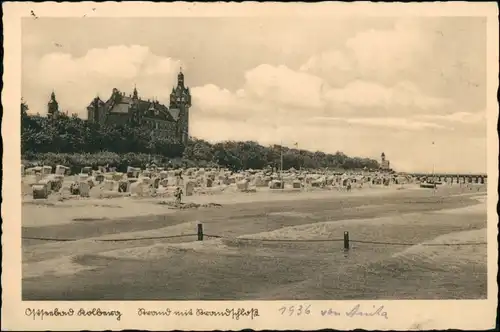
x=53 y=212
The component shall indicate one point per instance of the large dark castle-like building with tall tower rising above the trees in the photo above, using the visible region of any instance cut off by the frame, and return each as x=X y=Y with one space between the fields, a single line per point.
x=120 y=109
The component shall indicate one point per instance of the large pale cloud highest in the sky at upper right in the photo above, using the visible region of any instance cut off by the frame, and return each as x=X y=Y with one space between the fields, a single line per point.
x=384 y=56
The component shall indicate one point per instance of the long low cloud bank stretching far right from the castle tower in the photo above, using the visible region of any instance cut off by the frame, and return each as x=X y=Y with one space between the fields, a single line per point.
x=278 y=92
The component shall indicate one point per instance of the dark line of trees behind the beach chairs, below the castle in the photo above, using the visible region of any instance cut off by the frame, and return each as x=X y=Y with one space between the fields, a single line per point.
x=72 y=141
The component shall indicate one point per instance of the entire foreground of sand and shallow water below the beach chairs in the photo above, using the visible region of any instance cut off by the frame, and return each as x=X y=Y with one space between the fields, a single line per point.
x=260 y=254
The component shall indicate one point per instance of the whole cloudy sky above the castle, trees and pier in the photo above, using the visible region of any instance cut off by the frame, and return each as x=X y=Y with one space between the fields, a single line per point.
x=360 y=86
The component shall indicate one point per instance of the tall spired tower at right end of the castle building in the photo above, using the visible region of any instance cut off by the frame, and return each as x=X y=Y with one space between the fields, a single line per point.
x=180 y=99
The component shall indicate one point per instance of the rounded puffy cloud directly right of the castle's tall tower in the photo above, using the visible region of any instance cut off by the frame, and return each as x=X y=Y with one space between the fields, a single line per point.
x=269 y=94
